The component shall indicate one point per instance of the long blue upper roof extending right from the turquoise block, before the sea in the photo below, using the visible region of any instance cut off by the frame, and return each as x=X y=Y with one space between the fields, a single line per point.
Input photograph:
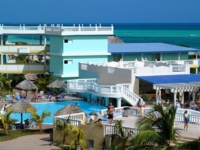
x=147 y=48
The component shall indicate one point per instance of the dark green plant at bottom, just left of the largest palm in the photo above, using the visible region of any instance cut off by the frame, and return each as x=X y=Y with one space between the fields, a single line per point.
x=120 y=136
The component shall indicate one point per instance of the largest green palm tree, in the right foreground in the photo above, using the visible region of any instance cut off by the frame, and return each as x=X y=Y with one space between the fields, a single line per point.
x=157 y=128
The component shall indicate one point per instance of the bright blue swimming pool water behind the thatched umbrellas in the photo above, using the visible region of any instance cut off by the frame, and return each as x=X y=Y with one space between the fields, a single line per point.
x=53 y=107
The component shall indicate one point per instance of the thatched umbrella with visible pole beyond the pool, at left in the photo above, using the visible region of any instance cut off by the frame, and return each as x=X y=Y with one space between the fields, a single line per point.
x=27 y=85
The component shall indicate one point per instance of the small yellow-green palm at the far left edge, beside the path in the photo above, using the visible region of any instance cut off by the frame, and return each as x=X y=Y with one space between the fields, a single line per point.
x=7 y=121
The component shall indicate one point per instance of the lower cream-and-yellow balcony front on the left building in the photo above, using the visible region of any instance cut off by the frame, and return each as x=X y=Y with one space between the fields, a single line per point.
x=24 y=68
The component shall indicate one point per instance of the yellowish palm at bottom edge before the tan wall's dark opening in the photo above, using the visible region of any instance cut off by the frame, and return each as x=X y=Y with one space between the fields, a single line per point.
x=79 y=138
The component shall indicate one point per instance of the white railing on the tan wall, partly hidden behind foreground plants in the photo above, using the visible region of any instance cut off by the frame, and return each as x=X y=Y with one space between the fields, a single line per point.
x=111 y=129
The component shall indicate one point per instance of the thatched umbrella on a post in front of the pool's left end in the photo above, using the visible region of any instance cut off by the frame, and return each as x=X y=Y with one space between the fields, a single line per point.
x=20 y=107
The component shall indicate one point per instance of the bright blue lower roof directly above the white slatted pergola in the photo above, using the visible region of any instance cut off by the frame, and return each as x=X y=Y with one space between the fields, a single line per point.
x=167 y=79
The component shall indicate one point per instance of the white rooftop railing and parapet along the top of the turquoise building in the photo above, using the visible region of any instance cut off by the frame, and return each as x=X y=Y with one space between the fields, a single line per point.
x=58 y=29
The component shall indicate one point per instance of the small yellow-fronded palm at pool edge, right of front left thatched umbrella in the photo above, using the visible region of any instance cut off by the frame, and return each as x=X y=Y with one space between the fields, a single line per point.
x=37 y=118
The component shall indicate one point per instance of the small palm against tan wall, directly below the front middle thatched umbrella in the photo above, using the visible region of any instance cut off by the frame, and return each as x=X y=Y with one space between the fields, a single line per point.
x=65 y=127
